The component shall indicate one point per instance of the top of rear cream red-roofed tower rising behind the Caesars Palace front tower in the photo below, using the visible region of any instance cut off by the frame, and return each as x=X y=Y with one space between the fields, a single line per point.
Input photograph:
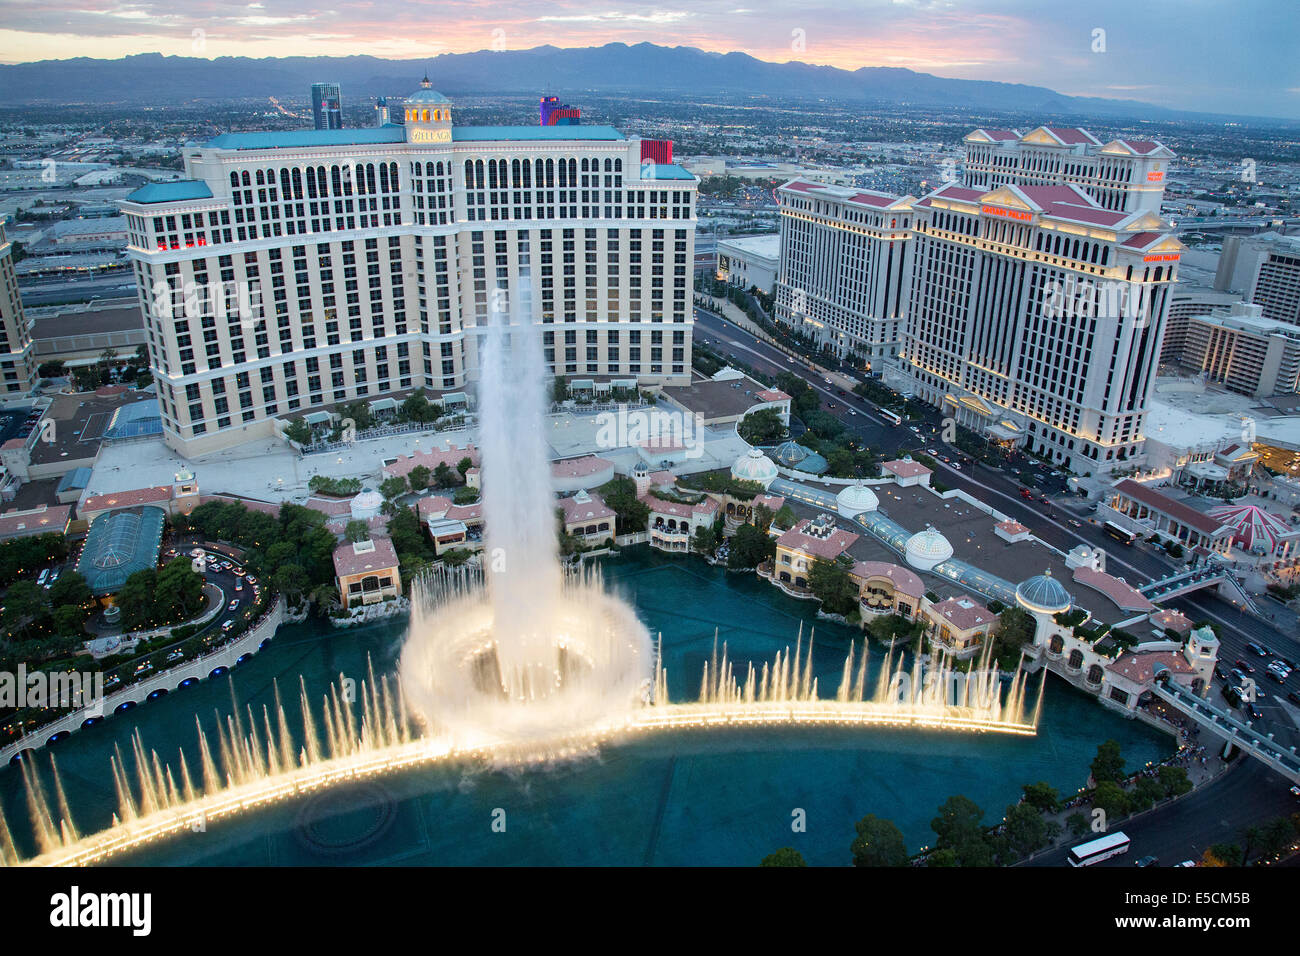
x=1125 y=175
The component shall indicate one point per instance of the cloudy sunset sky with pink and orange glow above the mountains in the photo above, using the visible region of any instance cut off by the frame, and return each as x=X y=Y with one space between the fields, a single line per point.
x=1206 y=55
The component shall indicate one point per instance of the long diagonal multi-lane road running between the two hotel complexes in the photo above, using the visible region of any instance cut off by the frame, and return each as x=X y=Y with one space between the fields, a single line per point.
x=1051 y=524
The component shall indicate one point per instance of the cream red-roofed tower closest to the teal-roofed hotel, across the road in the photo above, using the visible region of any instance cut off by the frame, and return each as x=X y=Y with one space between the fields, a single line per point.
x=844 y=267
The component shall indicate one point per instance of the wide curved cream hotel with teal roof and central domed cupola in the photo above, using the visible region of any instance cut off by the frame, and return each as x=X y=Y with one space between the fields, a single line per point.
x=300 y=270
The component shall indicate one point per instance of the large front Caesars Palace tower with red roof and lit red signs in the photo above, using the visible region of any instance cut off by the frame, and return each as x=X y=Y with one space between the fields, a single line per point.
x=1035 y=318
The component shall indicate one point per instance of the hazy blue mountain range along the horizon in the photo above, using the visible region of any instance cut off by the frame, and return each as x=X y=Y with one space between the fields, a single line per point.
x=644 y=68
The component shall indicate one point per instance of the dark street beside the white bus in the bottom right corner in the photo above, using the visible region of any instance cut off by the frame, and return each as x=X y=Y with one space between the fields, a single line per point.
x=1219 y=812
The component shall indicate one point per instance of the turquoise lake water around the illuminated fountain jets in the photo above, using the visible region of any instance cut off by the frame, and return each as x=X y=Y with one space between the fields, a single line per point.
x=694 y=798
